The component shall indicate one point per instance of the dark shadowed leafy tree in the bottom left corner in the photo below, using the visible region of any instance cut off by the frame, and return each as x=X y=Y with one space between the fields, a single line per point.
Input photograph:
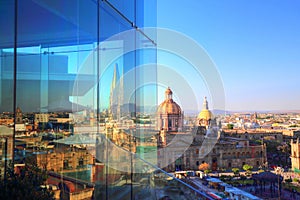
x=25 y=184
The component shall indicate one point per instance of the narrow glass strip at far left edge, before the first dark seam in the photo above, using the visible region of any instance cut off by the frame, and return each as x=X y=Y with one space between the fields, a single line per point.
x=6 y=85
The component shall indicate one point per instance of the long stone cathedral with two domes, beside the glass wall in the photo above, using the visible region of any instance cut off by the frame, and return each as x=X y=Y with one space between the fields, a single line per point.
x=185 y=148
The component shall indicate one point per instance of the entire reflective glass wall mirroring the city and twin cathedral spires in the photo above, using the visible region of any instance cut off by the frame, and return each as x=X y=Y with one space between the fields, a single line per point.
x=79 y=90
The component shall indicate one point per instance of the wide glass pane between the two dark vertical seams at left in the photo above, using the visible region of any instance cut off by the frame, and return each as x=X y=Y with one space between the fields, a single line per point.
x=53 y=92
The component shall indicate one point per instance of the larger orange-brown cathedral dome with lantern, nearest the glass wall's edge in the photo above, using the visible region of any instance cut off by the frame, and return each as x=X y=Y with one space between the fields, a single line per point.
x=169 y=106
